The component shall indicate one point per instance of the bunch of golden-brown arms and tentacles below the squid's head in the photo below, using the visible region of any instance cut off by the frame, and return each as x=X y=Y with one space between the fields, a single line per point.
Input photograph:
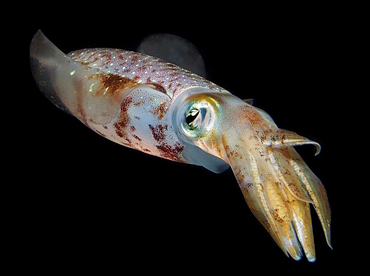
x=278 y=187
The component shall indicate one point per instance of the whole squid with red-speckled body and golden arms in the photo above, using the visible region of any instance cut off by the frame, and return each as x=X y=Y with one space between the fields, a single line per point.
x=148 y=104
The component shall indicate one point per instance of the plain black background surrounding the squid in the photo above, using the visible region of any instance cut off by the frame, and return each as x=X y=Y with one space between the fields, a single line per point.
x=82 y=201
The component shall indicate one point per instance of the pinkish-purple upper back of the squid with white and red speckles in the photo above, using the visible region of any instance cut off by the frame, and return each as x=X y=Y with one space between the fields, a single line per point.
x=142 y=69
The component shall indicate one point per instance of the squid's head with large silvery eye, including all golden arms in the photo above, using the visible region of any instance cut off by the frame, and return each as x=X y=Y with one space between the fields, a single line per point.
x=276 y=183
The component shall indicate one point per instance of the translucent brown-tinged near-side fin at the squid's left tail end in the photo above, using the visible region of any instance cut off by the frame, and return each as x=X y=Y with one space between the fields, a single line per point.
x=74 y=87
